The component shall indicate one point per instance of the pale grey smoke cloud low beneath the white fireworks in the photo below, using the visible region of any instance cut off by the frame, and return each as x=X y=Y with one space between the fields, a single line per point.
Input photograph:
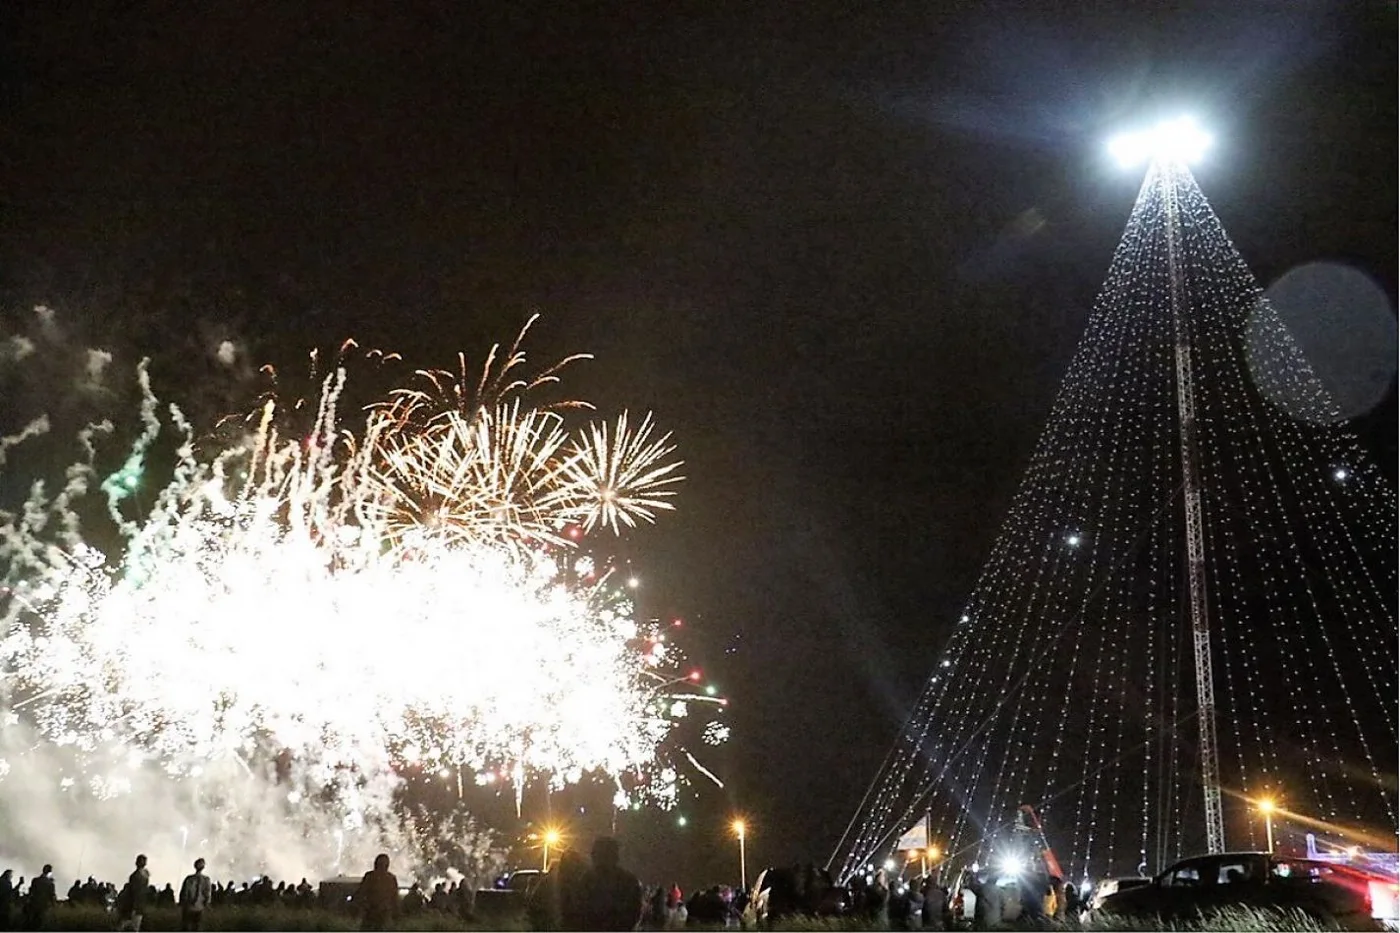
x=236 y=817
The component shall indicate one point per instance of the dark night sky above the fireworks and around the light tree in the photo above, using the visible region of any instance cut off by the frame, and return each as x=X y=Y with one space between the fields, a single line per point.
x=845 y=251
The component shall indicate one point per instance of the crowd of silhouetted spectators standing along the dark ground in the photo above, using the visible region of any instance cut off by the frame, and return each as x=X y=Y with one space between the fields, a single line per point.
x=597 y=894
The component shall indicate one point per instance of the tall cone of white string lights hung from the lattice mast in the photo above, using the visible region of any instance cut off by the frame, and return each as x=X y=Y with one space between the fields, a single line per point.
x=1072 y=659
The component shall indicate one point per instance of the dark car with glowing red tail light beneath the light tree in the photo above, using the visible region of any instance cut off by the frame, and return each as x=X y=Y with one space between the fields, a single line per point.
x=1207 y=885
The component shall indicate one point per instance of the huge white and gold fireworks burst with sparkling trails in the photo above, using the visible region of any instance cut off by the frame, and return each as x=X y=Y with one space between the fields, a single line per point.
x=341 y=603
